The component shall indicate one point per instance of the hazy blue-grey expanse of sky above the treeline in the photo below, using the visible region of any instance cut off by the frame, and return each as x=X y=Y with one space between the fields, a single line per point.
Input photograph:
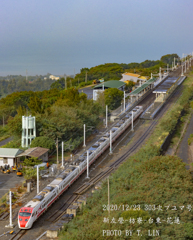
x=61 y=37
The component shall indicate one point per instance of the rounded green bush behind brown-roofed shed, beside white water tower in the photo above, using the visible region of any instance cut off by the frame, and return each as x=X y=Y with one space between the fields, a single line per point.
x=44 y=142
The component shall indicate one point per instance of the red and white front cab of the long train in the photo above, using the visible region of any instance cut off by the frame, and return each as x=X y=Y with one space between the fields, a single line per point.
x=25 y=218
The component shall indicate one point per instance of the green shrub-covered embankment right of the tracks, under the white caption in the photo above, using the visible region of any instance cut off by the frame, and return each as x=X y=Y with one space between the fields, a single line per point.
x=145 y=178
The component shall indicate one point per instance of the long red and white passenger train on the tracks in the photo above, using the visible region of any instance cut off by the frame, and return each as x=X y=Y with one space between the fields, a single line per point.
x=40 y=203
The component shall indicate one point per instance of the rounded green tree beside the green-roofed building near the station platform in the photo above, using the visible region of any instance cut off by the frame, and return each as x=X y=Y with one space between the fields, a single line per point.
x=113 y=97
